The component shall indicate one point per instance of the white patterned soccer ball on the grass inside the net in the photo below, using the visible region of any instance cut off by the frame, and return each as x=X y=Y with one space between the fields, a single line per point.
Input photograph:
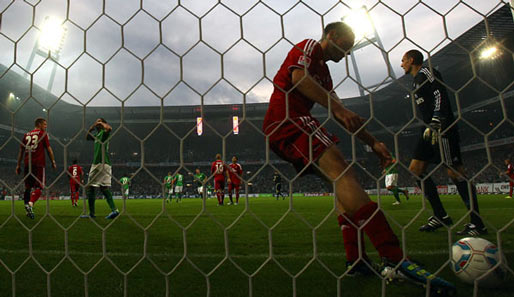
x=473 y=258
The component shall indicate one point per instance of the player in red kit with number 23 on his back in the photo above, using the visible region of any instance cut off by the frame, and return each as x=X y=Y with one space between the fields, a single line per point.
x=32 y=151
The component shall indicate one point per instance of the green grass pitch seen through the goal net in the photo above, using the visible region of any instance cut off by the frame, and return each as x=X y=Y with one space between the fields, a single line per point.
x=166 y=232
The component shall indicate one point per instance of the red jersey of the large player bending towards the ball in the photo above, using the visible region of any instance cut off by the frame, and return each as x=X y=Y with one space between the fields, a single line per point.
x=308 y=55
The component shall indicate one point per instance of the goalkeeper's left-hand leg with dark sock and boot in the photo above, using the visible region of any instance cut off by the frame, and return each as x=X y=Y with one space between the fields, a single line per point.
x=441 y=217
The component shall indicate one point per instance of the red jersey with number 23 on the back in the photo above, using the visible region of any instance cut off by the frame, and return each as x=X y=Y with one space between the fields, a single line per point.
x=35 y=142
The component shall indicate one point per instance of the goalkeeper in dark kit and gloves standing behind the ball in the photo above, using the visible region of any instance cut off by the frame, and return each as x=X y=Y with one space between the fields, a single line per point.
x=439 y=142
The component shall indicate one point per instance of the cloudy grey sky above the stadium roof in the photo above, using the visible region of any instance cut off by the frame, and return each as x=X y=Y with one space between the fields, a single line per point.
x=244 y=64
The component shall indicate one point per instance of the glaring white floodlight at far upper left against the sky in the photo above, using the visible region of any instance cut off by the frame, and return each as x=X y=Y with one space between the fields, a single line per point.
x=52 y=35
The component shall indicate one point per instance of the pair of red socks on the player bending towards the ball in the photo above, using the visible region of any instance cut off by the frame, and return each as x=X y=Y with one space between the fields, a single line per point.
x=378 y=230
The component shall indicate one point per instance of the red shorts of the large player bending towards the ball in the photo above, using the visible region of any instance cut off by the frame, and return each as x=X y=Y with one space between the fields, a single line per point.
x=290 y=140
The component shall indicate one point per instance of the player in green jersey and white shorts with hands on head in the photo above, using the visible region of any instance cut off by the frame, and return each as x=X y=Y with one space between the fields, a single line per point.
x=101 y=170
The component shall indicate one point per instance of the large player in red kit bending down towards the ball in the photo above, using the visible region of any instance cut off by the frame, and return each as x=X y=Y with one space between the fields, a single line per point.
x=297 y=137
